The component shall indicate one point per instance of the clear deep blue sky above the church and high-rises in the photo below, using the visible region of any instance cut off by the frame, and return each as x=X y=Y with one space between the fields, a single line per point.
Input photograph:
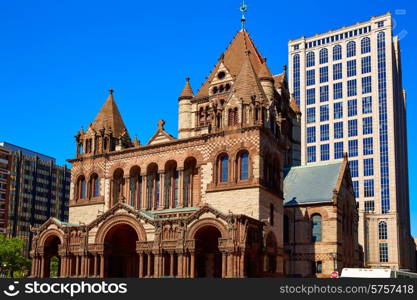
x=59 y=58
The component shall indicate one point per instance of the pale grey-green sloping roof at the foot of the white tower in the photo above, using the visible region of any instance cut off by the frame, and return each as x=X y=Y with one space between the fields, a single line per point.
x=311 y=183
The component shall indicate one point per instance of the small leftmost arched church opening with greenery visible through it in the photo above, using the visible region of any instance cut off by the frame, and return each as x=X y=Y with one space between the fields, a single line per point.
x=52 y=260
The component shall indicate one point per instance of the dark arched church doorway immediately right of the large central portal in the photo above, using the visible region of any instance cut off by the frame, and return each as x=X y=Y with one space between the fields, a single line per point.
x=209 y=259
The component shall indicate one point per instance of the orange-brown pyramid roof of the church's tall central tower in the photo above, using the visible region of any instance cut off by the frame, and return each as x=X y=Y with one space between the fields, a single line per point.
x=233 y=58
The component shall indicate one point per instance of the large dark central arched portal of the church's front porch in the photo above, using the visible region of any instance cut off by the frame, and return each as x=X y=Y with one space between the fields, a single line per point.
x=120 y=252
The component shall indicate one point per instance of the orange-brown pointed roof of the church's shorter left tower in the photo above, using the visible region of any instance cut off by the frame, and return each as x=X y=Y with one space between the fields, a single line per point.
x=109 y=117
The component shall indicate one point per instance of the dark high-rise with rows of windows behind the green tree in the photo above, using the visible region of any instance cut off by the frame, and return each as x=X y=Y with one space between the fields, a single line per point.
x=38 y=190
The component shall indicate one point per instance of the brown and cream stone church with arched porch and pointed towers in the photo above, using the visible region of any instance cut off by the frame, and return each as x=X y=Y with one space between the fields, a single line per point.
x=209 y=203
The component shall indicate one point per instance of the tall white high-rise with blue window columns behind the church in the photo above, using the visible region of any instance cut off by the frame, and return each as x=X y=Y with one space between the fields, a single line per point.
x=348 y=85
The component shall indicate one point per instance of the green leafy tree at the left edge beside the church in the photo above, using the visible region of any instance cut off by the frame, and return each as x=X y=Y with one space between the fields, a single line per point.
x=11 y=258
